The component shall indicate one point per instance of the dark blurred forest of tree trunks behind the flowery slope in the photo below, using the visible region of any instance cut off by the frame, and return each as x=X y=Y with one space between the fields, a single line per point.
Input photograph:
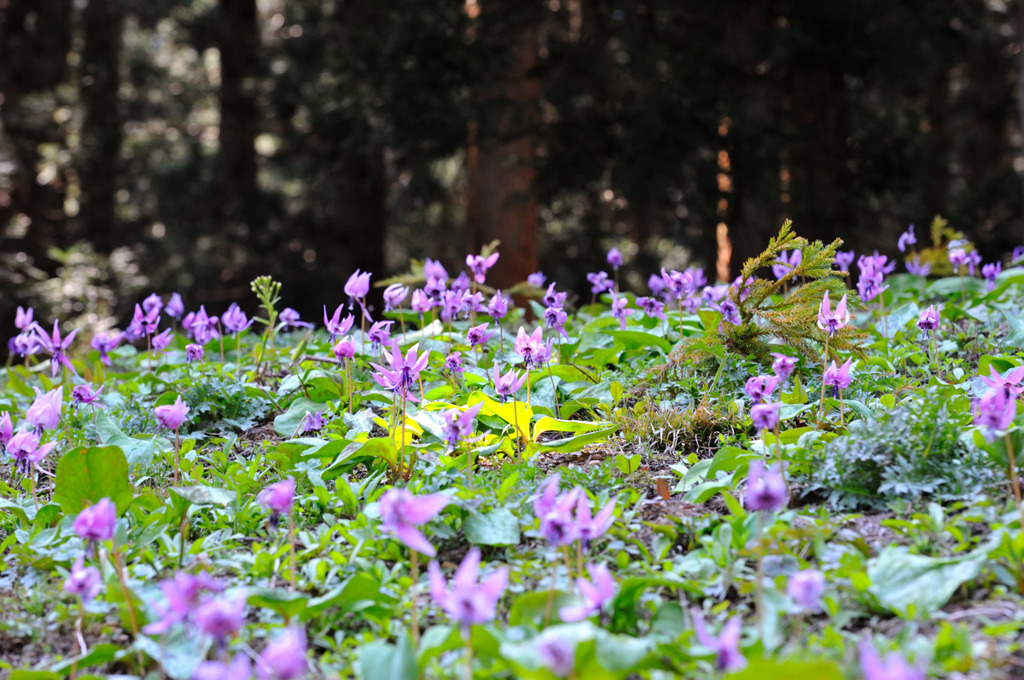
x=194 y=145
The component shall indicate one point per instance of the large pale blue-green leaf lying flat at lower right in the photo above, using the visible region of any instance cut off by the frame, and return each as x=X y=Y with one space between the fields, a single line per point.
x=902 y=581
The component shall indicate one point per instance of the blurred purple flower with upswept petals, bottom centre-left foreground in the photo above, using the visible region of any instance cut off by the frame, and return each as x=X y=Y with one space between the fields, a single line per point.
x=468 y=602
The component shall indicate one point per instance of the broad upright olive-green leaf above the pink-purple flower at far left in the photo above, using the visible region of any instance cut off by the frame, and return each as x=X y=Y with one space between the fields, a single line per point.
x=87 y=476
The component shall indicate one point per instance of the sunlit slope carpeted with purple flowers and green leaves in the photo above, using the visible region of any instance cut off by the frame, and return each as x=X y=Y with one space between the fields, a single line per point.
x=809 y=473
